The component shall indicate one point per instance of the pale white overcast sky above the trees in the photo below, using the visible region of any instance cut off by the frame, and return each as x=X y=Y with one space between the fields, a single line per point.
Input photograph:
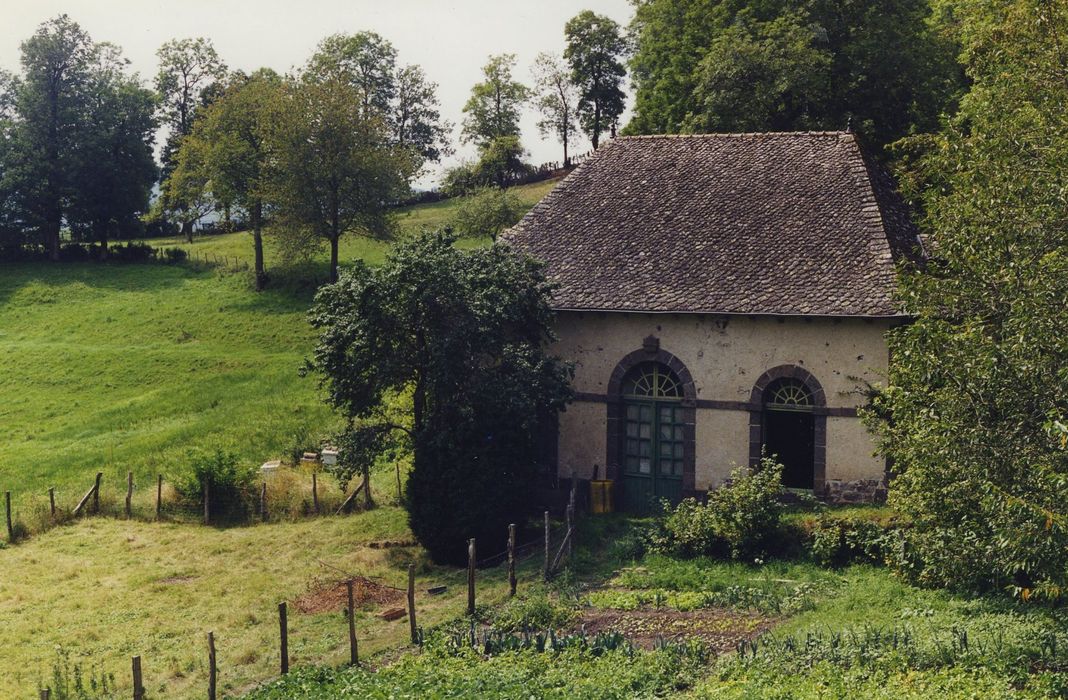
x=450 y=39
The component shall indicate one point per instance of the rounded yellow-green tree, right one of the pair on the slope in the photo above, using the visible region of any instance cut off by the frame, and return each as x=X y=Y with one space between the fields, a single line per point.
x=335 y=168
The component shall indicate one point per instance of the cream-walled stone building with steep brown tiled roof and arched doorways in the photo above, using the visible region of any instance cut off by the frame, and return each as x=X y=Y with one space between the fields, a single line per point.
x=721 y=295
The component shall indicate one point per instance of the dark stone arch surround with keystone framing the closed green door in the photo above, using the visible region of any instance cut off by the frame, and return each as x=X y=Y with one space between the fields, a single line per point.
x=651 y=352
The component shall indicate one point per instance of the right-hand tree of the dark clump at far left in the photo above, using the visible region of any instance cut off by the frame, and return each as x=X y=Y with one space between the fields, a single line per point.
x=116 y=168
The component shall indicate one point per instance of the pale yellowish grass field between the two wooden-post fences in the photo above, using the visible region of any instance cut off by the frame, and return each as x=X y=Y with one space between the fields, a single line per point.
x=105 y=590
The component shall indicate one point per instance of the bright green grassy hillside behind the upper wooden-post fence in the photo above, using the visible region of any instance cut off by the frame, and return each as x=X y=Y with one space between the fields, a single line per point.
x=120 y=368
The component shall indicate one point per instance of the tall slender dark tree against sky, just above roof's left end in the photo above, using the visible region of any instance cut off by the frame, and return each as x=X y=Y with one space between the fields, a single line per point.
x=595 y=48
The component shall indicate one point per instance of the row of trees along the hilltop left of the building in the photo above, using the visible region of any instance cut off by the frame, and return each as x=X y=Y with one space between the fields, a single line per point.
x=321 y=152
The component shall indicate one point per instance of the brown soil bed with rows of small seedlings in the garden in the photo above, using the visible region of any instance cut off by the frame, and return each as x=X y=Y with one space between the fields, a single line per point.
x=721 y=629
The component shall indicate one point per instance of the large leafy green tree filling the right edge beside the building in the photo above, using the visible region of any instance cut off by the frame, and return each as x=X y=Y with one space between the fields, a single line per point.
x=975 y=411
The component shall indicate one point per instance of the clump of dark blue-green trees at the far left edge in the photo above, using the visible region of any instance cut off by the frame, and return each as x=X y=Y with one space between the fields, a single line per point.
x=76 y=138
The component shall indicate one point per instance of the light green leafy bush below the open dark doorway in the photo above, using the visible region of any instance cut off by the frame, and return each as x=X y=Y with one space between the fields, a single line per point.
x=742 y=520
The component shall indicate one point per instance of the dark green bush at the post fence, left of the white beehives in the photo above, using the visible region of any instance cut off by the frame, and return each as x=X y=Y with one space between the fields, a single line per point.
x=230 y=484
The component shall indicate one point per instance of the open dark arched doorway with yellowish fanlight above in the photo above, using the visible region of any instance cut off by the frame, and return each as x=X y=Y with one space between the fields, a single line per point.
x=790 y=431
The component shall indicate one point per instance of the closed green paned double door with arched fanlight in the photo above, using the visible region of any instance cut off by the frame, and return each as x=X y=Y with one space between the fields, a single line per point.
x=654 y=438
